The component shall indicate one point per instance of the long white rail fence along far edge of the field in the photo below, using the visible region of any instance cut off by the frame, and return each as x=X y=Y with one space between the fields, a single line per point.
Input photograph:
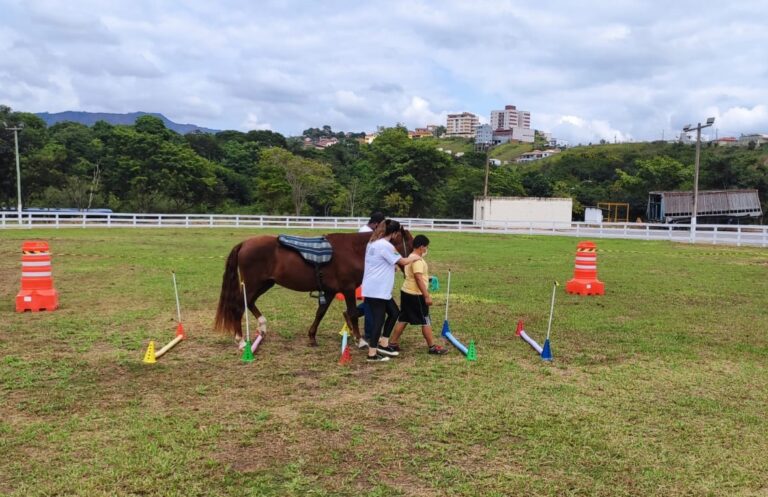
x=715 y=234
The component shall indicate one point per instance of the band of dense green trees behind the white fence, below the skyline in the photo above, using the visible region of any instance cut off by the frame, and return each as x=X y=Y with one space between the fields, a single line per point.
x=146 y=167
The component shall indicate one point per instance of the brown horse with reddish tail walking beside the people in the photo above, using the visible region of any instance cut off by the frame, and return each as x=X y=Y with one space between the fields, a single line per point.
x=262 y=261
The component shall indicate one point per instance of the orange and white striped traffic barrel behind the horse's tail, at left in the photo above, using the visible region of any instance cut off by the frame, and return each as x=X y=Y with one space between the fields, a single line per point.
x=37 y=292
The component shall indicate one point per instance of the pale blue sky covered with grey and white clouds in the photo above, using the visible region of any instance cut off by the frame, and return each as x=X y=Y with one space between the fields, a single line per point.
x=586 y=71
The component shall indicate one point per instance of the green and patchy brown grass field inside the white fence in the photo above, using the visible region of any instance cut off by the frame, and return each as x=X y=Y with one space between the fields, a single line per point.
x=656 y=388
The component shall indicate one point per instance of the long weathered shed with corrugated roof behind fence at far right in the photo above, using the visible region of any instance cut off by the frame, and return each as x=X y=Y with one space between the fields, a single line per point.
x=714 y=206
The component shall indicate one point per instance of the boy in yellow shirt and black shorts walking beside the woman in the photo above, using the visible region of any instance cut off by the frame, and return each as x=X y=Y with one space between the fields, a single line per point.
x=415 y=299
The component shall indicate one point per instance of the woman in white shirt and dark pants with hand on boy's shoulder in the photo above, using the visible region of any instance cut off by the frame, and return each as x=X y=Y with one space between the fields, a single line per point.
x=379 y=279
